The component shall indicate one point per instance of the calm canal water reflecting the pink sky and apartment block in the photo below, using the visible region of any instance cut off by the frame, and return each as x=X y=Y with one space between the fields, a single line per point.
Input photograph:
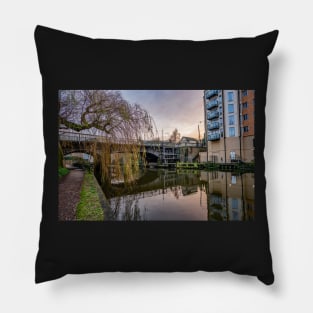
x=183 y=195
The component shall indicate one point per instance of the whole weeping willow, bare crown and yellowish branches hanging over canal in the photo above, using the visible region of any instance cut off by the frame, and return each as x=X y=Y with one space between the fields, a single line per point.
x=106 y=126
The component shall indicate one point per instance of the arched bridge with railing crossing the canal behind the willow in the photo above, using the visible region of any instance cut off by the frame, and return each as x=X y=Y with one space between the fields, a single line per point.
x=154 y=150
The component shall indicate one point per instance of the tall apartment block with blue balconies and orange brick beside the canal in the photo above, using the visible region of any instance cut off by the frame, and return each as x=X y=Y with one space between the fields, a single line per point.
x=229 y=120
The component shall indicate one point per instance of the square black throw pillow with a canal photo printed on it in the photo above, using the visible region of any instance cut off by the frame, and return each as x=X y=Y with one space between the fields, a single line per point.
x=148 y=167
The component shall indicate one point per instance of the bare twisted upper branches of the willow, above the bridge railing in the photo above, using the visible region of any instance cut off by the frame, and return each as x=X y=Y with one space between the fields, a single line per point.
x=104 y=111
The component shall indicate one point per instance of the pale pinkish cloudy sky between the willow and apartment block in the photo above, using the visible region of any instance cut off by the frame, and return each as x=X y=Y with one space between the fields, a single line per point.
x=170 y=109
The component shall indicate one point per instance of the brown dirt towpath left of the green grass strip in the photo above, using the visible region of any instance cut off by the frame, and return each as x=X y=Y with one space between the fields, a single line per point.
x=69 y=194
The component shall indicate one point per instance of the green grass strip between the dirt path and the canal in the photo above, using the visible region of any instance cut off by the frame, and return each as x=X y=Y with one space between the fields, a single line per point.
x=89 y=208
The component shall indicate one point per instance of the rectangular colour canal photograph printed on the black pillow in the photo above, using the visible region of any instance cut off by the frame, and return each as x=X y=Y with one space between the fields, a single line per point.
x=156 y=155
